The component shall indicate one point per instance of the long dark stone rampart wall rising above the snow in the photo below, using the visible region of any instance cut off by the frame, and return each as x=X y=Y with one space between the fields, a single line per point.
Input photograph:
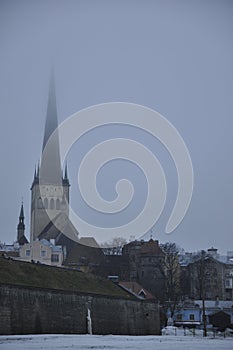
x=25 y=310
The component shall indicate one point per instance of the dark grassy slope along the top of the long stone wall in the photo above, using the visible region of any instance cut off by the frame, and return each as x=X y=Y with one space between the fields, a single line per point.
x=27 y=274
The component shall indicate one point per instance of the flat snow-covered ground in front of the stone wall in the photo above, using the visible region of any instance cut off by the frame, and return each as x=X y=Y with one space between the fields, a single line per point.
x=85 y=342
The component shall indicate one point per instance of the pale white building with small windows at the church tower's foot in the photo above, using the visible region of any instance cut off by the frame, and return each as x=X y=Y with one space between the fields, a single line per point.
x=42 y=251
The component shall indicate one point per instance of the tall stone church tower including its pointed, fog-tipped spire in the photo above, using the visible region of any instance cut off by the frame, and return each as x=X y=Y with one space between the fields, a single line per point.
x=52 y=194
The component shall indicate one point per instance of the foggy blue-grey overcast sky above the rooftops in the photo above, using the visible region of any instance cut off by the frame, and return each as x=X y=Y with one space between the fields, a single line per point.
x=173 y=56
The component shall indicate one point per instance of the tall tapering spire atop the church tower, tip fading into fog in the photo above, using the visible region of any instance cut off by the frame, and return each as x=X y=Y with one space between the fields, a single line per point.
x=51 y=163
